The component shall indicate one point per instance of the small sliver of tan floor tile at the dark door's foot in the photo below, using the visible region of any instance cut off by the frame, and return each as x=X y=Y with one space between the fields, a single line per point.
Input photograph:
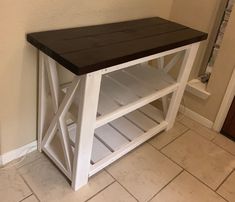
x=227 y=144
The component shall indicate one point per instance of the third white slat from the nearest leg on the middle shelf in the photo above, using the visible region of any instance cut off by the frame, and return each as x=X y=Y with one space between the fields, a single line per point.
x=131 y=83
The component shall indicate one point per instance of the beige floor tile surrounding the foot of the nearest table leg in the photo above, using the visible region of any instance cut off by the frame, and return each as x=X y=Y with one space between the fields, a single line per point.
x=50 y=185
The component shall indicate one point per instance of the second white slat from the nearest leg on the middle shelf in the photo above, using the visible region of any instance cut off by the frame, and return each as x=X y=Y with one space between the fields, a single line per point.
x=117 y=92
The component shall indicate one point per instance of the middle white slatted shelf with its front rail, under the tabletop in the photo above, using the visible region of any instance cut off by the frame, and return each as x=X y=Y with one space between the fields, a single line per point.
x=126 y=90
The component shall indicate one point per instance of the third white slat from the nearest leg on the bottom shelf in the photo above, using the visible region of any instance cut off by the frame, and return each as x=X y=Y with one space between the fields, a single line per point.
x=127 y=128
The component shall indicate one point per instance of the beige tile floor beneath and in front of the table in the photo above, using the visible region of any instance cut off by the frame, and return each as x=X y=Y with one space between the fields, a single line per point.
x=189 y=163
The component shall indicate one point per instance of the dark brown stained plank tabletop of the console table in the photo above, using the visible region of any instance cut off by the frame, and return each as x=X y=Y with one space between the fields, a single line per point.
x=86 y=49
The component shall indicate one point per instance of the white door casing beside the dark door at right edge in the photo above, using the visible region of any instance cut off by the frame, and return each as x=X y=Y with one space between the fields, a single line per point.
x=226 y=103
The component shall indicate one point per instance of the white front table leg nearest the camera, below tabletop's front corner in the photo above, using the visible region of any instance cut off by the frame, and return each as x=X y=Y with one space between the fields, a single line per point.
x=88 y=104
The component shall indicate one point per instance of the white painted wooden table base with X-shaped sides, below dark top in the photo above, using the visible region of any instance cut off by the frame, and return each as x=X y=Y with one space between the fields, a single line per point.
x=77 y=155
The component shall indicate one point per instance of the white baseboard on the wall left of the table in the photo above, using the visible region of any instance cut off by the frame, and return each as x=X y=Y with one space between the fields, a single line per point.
x=17 y=153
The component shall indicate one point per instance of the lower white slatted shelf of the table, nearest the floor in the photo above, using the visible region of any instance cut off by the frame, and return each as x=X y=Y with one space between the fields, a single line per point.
x=112 y=137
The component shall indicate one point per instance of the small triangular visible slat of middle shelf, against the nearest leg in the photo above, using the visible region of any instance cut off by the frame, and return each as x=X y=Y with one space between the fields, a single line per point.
x=106 y=104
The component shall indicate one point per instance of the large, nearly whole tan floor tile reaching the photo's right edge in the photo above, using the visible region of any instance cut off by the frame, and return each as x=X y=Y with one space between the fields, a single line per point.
x=201 y=157
